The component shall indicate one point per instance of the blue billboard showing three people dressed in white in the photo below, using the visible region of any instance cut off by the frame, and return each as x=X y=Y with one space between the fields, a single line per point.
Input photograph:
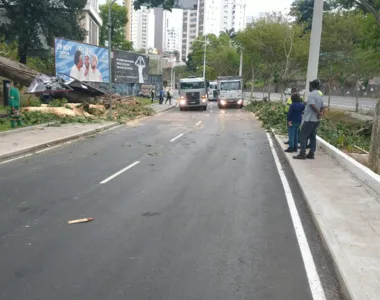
x=81 y=61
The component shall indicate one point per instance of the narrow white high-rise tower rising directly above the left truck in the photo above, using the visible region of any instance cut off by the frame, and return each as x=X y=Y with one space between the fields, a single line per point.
x=189 y=31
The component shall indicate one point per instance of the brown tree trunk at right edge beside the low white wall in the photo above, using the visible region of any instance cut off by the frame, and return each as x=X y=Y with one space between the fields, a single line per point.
x=374 y=150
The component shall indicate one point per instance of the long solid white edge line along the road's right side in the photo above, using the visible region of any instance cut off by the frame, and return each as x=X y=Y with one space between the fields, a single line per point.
x=311 y=270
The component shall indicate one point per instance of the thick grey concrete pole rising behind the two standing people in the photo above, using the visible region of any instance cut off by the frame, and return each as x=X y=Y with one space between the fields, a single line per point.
x=315 y=44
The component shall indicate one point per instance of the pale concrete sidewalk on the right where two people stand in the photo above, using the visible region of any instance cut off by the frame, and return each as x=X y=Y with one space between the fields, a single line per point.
x=347 y=214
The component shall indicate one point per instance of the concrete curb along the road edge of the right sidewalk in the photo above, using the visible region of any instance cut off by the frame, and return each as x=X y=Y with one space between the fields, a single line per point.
x=348 y=285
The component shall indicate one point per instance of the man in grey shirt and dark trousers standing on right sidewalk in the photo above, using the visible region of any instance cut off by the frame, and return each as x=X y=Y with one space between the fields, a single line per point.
x=313 y=113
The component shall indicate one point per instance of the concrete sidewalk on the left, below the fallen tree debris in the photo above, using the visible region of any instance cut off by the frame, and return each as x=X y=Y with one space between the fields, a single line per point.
x=34 y=138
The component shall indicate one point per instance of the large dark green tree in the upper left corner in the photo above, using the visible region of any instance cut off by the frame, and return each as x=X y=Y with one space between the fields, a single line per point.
x=33 y=24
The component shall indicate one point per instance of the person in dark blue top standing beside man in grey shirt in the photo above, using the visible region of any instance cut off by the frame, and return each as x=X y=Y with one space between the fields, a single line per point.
x=294 y=121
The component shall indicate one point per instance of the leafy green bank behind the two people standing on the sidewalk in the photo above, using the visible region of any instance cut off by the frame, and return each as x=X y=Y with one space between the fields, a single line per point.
x=337 y=128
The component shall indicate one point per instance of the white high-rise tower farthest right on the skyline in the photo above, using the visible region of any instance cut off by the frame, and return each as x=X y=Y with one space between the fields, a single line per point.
x=233 y=15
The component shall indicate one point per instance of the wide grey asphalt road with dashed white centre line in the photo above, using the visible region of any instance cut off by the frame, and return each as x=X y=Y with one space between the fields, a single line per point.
x=191 y=207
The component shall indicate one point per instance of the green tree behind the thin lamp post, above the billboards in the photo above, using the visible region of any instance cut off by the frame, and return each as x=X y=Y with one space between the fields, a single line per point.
x=119 y=19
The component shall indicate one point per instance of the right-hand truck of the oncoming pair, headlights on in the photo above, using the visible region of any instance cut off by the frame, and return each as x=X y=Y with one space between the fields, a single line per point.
x=230 y=91
